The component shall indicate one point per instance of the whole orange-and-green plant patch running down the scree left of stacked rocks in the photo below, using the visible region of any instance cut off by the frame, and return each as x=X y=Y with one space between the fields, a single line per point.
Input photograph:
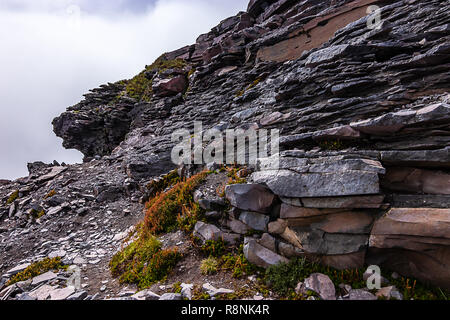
x=144 y=262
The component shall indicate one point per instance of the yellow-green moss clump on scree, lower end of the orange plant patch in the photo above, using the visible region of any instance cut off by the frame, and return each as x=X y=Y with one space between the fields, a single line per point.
x=144 y=262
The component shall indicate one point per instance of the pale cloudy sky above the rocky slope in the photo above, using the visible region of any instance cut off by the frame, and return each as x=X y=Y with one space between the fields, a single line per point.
x=54 y=51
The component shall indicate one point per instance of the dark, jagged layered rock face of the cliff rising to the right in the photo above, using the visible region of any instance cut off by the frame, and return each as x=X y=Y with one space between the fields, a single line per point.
x=364 y=114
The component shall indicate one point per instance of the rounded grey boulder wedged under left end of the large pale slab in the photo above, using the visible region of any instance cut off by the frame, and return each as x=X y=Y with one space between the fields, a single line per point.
x=250 y=197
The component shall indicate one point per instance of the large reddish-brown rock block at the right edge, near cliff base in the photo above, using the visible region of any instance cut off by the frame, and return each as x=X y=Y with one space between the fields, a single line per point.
x=414 y=242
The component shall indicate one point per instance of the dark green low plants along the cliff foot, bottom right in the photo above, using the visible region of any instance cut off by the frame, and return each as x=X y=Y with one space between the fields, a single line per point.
x=283 y=279
